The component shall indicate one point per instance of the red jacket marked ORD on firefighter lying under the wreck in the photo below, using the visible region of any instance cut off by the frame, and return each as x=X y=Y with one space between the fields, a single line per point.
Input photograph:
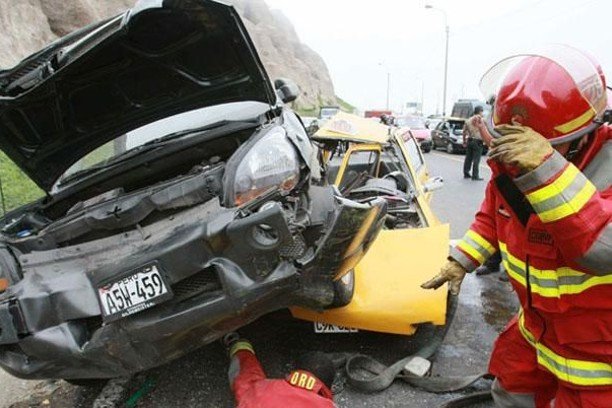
x=253 y=390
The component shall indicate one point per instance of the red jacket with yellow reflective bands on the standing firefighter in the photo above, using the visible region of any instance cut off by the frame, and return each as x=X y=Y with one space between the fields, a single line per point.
x=558 y=258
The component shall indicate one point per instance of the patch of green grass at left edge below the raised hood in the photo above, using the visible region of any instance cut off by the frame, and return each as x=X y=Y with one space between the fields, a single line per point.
x=17 y=188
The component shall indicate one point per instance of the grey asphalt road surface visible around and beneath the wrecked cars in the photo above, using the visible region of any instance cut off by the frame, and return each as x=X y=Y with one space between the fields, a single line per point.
x=199 y=380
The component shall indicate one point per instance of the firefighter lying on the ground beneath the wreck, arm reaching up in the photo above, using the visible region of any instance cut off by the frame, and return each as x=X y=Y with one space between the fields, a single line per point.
x=309 y=386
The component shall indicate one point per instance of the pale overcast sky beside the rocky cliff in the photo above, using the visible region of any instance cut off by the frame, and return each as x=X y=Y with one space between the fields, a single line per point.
x=362 y=40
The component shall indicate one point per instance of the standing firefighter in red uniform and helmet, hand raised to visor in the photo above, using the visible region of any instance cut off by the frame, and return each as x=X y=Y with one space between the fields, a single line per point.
x=547 y=209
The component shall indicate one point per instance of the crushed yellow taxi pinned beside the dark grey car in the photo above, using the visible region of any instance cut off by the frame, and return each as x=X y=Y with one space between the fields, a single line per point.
x=366 y=160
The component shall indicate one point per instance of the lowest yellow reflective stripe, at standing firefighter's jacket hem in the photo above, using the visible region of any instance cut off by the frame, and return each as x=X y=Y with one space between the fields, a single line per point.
x=579 y=372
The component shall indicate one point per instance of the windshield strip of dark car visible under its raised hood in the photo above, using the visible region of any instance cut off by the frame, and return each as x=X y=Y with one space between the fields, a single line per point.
x=236 y=111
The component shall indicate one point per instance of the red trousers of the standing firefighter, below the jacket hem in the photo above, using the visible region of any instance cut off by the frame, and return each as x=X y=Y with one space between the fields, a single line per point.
x=514 y=363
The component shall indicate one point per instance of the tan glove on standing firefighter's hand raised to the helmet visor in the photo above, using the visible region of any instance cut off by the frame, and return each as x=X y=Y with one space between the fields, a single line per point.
x=520 y=146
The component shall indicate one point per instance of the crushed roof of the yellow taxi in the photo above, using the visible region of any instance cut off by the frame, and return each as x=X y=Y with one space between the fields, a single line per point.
x=344 y=126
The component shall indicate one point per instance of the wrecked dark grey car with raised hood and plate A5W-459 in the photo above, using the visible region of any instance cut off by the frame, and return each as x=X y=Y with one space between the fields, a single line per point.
x=182 y=201
